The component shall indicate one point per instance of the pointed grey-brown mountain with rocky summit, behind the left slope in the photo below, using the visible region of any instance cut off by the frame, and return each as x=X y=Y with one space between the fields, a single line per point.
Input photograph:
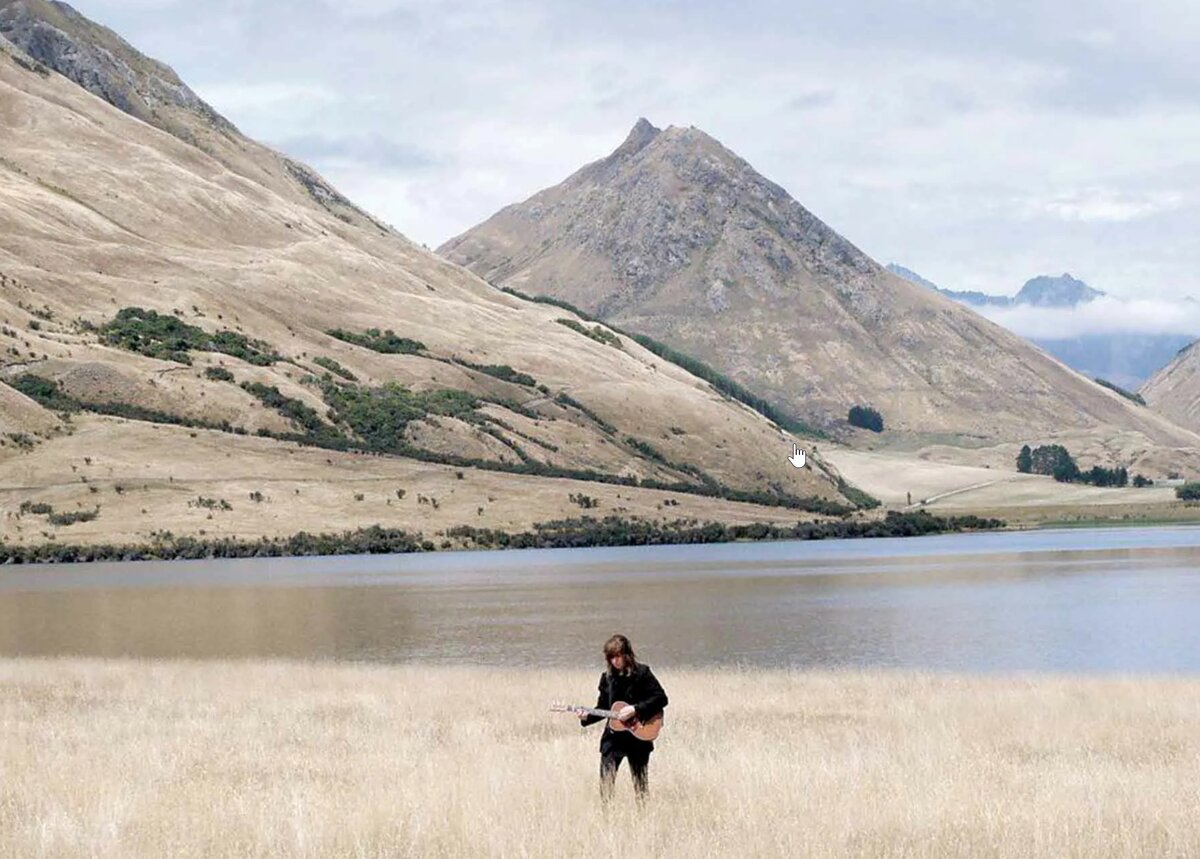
x=675 y=237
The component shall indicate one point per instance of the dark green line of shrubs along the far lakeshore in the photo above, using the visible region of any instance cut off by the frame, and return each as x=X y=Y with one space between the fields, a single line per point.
x=579 y=533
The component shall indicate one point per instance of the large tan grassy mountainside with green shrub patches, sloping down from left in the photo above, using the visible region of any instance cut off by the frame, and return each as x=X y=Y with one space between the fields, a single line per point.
x=201 y=337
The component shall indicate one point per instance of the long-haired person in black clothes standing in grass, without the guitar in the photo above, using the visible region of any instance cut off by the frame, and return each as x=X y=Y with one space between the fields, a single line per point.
x=629 y=681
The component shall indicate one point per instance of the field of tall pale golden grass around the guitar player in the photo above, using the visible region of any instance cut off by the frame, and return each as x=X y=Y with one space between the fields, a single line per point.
x=268 y=760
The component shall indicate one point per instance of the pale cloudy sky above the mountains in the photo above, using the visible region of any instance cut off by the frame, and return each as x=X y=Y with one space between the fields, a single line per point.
x=979 y=143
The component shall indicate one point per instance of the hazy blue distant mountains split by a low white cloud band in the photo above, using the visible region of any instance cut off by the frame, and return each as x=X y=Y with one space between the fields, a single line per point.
x=1127 y=359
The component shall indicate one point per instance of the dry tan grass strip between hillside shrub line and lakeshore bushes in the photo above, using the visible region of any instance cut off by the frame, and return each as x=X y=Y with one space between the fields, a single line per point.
x=147 y=478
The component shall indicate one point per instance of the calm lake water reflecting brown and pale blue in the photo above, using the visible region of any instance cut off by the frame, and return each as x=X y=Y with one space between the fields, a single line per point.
x=1103 y=600
